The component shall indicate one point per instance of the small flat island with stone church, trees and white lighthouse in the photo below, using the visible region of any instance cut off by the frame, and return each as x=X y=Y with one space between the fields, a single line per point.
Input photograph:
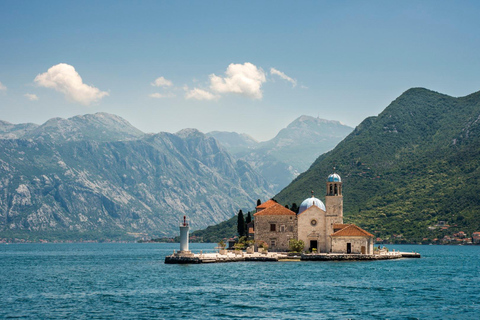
x=315 y=233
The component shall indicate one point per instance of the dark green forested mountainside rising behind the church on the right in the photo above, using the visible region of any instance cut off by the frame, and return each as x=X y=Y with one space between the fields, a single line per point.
x=408 y=169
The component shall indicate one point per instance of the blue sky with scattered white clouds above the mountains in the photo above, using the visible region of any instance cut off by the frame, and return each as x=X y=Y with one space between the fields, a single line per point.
x=245 y=66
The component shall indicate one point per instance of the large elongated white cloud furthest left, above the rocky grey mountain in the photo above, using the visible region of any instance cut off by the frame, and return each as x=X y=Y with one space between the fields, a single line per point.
x=63 y=78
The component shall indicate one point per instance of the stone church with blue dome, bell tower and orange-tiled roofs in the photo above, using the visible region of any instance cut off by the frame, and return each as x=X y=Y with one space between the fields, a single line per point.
x=319 y=225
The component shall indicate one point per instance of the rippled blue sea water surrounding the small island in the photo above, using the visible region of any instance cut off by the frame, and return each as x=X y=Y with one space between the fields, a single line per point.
x=131 y=281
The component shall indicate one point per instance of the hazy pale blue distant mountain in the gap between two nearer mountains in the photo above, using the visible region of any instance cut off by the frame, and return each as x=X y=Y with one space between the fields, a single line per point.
x=290 y=152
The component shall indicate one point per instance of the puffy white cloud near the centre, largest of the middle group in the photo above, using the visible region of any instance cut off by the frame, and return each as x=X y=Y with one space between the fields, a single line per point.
x=245 y=79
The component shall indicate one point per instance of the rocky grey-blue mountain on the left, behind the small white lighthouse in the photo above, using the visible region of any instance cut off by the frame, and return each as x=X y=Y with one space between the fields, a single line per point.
x=98 y=177
